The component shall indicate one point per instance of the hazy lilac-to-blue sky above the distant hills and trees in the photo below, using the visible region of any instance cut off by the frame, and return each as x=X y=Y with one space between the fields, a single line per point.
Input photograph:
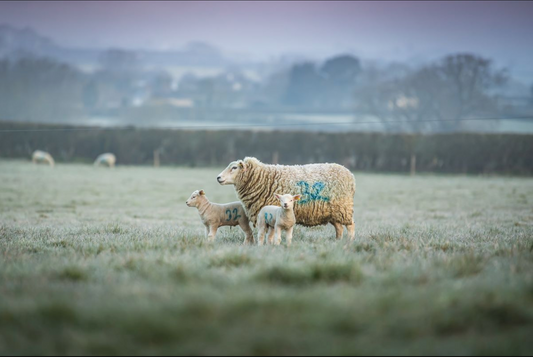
x=389 y=30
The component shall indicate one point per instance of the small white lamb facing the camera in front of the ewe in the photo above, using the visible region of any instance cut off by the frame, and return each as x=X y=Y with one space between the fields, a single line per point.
x=274 y=219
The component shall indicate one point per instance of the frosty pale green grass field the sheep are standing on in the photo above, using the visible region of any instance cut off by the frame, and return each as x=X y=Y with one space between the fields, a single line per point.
x=96 y=261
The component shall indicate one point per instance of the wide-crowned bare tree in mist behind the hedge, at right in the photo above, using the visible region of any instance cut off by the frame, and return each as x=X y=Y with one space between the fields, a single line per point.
x=436 y=97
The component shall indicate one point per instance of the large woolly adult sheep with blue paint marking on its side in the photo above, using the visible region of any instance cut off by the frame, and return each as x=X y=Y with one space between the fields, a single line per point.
x=327 y=191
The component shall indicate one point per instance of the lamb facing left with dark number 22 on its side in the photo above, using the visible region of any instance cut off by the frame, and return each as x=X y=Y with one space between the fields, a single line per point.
x=215 y=215
